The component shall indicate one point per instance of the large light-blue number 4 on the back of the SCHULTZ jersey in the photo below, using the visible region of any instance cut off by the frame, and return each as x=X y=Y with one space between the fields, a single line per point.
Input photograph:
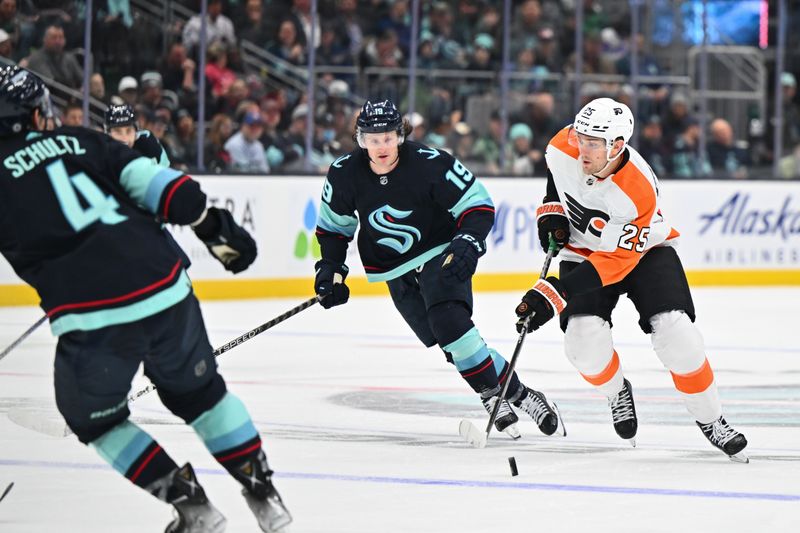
x=101 y=207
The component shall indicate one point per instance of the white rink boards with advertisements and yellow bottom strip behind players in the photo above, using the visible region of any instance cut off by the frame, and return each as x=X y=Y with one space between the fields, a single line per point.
x=732 y=233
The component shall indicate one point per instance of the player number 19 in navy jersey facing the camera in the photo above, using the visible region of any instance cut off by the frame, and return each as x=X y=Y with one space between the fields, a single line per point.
x=424 y=220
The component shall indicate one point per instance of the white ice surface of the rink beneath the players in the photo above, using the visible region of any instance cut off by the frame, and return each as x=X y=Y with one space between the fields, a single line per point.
x=360 y=423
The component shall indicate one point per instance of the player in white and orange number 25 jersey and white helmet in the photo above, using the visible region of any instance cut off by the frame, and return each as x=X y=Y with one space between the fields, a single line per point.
x=602 y=210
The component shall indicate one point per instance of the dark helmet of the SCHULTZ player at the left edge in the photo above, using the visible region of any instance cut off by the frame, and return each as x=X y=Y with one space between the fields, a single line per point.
x=21 y=93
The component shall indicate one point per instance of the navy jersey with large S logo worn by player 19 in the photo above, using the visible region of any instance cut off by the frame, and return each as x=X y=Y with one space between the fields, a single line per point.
x=407 y=216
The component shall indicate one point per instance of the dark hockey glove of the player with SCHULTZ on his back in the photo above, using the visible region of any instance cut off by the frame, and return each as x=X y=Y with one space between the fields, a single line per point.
x=227 y=241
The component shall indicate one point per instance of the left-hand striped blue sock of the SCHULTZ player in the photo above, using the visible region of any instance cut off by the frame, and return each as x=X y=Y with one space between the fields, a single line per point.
x=134 y=454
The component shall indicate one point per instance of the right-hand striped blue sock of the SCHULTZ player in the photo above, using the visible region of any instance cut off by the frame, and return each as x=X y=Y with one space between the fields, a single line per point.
x=229 y=434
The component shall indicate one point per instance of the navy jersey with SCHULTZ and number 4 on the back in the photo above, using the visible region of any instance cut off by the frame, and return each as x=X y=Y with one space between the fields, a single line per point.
x=80 y=221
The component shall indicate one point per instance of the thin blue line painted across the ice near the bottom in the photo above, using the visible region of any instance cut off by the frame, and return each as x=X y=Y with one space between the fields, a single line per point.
x=387 y=480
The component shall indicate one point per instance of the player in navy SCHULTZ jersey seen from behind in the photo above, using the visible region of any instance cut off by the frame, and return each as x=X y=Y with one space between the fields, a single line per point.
x=80 y=221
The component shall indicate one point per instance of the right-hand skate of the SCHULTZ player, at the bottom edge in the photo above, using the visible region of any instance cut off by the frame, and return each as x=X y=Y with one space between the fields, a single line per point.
x=261 y=495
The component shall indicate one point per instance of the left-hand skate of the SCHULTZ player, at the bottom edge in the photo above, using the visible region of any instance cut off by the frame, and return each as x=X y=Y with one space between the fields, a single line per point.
x=194 y=512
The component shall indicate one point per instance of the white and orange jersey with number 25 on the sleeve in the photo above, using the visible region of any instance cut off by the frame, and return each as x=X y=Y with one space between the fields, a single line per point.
x=613 y=221
